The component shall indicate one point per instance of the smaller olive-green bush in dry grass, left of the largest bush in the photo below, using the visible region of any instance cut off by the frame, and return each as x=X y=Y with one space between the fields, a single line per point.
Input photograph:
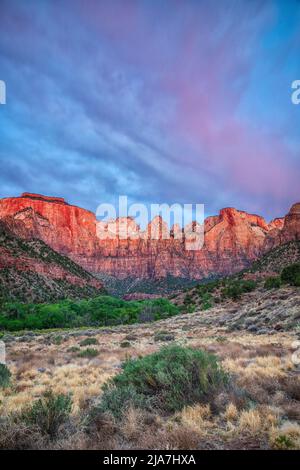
x=49 y=413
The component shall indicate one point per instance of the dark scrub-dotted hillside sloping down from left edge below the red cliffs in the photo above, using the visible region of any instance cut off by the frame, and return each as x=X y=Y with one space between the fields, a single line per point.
x=31 y=271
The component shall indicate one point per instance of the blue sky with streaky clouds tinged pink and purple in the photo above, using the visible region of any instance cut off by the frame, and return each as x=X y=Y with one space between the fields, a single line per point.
x=165 y=101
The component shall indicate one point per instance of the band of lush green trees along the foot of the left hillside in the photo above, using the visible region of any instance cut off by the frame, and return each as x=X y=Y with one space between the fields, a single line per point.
x=97 y=311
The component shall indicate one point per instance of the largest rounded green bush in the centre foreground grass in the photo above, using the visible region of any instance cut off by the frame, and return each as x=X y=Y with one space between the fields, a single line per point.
x=166 y=380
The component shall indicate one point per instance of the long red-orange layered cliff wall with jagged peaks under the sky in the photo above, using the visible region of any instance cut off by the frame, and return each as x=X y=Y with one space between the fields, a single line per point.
x=231 y=240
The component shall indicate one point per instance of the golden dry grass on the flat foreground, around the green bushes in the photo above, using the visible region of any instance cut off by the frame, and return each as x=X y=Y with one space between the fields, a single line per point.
x=263 y=406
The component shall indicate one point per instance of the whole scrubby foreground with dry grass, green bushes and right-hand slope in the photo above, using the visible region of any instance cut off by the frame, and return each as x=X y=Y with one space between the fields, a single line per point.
x=185 y=382
